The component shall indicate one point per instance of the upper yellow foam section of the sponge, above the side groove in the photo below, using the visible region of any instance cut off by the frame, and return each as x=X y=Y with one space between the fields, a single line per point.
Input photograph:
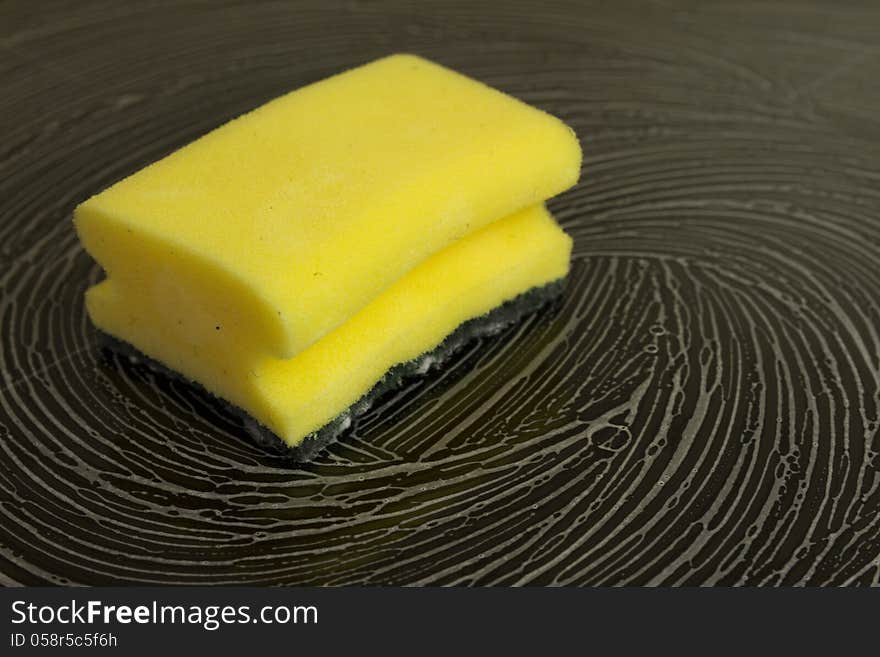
x=293 y=217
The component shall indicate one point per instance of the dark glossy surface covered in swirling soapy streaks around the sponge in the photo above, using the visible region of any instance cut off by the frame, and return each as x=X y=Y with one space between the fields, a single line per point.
x=701 y=409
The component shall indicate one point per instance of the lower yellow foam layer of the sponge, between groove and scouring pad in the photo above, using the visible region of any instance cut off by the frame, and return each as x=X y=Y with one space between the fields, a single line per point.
x=296 y=396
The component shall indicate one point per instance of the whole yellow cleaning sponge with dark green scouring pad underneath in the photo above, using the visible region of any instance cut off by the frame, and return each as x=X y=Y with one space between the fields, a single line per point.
x=292 y=258
